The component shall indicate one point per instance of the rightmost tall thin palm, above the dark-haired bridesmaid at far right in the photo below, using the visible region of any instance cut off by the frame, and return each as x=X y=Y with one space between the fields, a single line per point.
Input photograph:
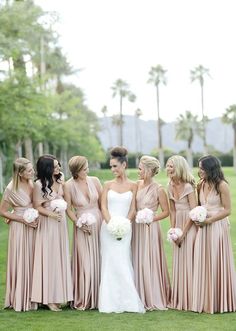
x=198 y=74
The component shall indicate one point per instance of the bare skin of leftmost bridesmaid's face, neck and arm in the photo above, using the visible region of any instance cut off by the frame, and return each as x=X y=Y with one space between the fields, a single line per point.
x=25 y=184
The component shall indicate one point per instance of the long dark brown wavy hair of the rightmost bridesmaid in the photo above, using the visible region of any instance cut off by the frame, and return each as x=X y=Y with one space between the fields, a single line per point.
x=214 y=174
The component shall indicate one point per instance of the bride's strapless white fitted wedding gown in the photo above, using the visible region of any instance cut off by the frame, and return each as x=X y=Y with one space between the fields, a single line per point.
x=117 y=291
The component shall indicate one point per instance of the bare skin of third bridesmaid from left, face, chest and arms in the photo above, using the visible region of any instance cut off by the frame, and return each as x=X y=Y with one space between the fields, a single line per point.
x=81 y=181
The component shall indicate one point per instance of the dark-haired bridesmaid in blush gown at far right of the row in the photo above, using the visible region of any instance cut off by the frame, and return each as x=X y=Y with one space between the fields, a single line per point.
x=214 y=273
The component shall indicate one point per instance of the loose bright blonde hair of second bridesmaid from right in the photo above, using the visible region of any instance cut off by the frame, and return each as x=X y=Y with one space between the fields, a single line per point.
x=182 y=170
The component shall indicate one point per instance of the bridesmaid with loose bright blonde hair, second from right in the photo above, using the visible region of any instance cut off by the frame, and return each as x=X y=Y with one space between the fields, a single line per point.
x=182 y=197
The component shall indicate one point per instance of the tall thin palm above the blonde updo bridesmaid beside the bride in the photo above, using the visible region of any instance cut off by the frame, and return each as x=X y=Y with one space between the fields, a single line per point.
x=157 y=77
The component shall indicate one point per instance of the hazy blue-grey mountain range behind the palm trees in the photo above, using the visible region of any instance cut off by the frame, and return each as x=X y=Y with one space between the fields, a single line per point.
x=141 y=136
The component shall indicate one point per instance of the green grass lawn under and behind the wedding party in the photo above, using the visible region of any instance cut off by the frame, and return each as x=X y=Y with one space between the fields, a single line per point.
x=68 y=320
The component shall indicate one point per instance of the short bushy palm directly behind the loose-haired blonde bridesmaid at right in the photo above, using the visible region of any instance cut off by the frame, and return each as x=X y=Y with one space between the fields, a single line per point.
x=186 y=126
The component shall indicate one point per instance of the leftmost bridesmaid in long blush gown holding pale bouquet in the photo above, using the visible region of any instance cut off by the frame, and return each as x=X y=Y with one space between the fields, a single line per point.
x=18 y=197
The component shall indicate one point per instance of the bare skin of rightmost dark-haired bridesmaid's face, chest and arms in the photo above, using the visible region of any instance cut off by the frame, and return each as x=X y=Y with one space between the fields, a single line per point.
x=224 y=196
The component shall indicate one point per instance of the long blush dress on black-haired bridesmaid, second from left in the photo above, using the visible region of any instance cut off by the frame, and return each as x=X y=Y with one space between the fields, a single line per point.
x=52 y=282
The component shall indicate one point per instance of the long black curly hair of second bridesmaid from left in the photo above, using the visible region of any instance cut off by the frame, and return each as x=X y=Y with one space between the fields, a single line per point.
x=45 y=169
